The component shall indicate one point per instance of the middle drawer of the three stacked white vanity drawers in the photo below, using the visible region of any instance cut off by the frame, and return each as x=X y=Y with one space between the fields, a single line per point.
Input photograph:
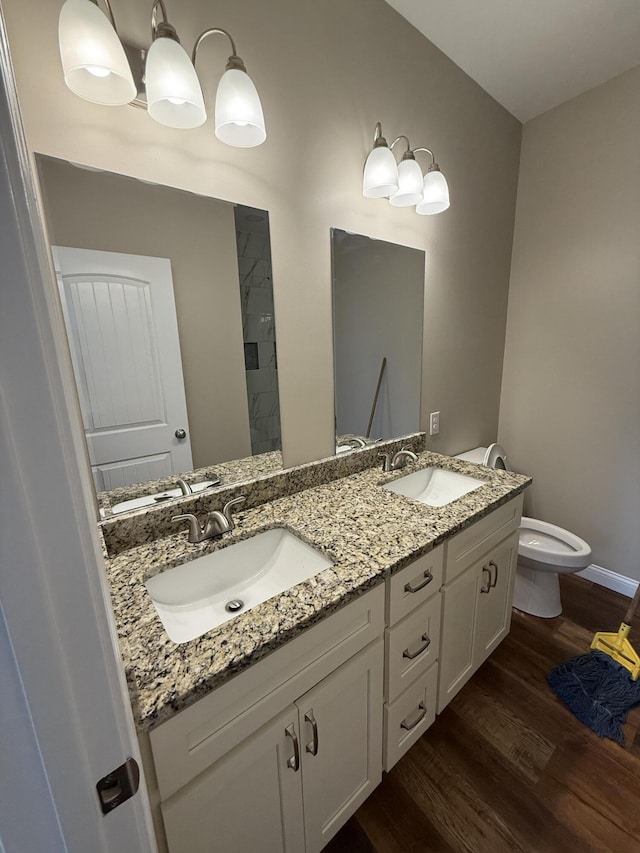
x=411 y=646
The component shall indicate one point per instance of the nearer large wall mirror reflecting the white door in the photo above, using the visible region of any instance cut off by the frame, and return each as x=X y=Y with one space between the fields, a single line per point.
x=168 y=303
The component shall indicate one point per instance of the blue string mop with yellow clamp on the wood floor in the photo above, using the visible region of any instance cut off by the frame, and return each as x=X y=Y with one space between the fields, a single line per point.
x=600 y=688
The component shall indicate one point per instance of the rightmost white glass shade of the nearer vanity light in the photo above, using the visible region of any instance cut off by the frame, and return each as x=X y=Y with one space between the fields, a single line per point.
x=238 y=114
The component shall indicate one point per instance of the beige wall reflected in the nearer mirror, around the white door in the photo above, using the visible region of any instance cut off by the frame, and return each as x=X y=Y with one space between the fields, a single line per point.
x=101 y=211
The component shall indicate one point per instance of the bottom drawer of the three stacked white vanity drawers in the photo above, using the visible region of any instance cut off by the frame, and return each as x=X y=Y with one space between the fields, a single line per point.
x=409 y=716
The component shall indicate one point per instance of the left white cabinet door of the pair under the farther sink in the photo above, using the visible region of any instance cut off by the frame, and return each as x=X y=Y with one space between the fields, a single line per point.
x=459 y=611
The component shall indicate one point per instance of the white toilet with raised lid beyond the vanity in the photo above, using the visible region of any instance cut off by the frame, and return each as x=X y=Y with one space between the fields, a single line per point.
x=544 y=551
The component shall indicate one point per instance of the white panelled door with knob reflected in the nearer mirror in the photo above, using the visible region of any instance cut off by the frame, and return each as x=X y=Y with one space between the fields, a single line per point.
x=120 y=315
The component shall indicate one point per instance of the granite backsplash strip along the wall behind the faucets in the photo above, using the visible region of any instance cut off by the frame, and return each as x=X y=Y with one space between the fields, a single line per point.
x=128 y=529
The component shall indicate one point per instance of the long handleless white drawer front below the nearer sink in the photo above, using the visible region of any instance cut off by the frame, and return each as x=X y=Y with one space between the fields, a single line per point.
x=194 y=739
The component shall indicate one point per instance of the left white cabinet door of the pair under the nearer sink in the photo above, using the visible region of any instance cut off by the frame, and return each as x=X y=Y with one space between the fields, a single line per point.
x=249 y=801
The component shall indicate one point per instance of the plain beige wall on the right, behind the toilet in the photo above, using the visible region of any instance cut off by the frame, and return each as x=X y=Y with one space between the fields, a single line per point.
x=570 y=410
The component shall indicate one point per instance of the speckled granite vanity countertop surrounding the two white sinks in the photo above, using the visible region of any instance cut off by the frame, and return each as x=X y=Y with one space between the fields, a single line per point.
x=368 y=533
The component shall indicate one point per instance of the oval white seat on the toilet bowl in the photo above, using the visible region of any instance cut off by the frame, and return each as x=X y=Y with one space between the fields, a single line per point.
x=553 y=546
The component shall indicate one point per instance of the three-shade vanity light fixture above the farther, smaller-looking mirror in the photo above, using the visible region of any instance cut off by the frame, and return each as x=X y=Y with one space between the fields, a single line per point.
x=403 y=183
